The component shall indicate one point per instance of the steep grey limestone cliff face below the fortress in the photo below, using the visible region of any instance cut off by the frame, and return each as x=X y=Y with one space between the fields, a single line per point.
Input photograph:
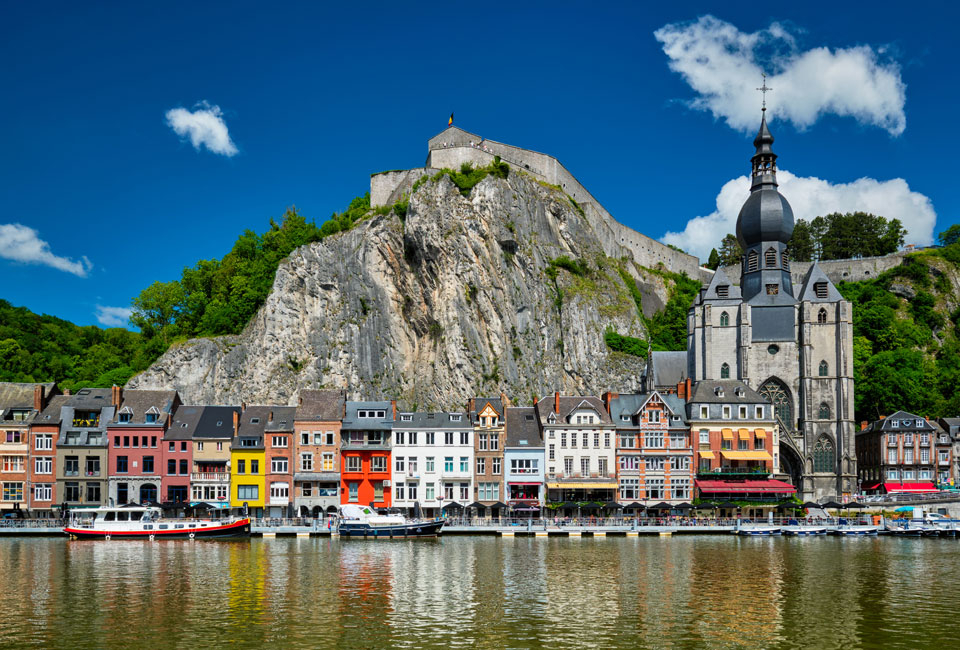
x=457 y=300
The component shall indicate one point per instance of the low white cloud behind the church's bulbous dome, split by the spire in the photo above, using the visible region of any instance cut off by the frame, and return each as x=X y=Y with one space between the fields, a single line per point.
x=811 y=197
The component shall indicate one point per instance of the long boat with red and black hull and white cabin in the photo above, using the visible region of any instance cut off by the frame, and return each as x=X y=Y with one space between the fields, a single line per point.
x=147 y=523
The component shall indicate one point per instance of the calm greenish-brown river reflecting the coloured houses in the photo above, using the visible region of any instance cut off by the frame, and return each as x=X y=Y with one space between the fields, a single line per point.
x=484 y=592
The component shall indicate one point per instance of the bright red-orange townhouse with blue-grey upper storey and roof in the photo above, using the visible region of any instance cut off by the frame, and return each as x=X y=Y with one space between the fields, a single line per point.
x=366 y=443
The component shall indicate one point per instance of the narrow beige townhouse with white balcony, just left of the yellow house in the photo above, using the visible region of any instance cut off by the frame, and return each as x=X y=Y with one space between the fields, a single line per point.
x=212 y=431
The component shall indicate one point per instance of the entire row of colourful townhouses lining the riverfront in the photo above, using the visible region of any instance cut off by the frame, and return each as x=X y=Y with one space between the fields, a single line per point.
x=713 y=441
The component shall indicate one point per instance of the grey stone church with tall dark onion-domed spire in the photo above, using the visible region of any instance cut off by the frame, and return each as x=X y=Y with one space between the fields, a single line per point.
x=793 y=345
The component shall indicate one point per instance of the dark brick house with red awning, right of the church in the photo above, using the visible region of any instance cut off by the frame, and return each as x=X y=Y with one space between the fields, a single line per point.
x=899 y=454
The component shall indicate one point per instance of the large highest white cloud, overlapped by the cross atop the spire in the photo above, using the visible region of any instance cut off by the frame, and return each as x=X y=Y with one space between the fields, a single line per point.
x=724 y=65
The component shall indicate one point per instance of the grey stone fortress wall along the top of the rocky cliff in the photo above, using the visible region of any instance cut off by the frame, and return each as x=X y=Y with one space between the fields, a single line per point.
x=454 y=147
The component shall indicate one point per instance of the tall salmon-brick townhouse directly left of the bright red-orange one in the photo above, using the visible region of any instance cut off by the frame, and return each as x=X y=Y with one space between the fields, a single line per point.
x=316 y=478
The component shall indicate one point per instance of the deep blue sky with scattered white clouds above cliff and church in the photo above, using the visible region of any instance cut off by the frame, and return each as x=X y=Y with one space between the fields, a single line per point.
x=652 y=108
